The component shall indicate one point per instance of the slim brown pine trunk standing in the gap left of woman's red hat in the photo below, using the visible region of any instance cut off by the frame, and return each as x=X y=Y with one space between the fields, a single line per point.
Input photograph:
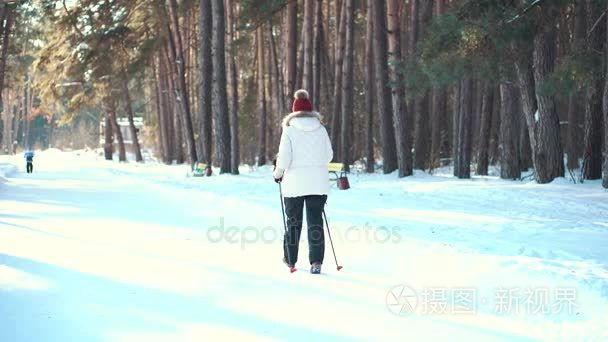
x=261 y=98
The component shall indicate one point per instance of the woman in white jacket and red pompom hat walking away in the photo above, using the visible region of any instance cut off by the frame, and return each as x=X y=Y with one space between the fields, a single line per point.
x=301 y=168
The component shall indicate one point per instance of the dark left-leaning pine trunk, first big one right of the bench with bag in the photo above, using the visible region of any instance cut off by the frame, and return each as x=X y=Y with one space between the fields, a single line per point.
x=387 y=130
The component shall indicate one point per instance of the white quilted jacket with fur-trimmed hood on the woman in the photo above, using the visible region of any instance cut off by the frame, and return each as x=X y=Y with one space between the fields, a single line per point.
x=304 y=152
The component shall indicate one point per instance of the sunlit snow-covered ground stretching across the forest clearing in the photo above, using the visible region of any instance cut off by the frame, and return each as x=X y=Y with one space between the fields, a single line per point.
x=96 y=251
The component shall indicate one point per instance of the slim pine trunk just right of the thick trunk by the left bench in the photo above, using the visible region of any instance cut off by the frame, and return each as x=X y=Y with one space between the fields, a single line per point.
x=233 y=85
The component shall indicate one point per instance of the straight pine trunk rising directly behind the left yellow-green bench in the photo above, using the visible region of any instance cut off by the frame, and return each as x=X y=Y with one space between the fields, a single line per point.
x=206 y=82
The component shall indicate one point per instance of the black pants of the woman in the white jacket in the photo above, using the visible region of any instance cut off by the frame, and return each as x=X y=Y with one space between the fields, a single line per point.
x=294 y=207
